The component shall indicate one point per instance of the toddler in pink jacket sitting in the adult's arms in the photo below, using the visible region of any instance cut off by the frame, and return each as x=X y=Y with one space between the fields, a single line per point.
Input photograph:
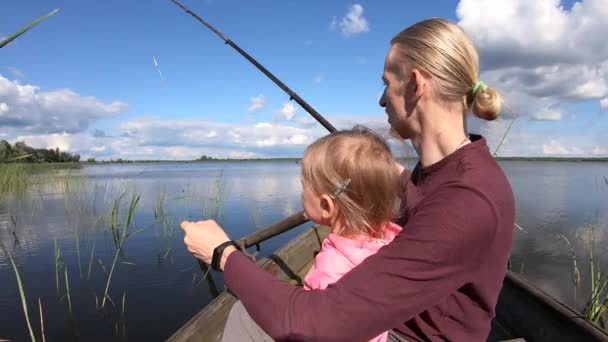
x=351 y=184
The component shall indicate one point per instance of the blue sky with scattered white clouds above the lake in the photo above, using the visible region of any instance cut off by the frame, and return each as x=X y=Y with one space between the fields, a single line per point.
x=85 y=81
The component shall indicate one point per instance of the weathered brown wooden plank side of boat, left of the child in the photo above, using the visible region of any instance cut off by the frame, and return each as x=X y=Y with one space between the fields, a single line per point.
x=208 y=324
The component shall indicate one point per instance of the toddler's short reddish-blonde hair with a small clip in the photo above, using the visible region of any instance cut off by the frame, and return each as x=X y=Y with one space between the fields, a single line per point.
x=369 y=200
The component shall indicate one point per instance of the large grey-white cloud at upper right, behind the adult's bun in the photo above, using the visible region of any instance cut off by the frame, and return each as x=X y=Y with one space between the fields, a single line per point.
x=538 y=53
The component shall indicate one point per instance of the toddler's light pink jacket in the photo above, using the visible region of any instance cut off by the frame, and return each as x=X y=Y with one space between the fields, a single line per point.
x=339 y=255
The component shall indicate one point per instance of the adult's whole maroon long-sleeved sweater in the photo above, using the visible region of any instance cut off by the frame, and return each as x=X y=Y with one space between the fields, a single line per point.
x=438 y=280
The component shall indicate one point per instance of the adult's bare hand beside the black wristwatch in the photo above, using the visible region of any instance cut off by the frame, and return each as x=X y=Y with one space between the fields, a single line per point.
x=202 y=237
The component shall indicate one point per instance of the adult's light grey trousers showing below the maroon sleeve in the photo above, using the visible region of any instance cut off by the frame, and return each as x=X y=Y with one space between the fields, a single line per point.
x=240 y=327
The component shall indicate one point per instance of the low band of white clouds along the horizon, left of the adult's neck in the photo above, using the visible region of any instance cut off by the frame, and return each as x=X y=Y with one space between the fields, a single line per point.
x=155 y=138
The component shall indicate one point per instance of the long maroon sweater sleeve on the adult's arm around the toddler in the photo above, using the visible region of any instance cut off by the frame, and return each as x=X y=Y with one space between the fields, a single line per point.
x=437 y=253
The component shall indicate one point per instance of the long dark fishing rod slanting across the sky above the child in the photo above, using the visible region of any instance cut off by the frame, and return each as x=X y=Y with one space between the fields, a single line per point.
x=291 y=93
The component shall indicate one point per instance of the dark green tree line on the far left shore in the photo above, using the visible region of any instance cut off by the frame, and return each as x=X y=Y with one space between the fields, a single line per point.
x=20 y=152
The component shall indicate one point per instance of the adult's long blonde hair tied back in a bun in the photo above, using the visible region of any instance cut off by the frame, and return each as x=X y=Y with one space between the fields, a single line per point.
x=444 y=50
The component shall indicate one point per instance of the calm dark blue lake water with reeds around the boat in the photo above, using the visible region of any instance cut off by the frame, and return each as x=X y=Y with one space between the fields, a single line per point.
x=163 y=286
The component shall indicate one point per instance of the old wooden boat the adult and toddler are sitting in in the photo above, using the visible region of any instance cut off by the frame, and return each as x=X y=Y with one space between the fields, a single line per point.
x=523 y=312
